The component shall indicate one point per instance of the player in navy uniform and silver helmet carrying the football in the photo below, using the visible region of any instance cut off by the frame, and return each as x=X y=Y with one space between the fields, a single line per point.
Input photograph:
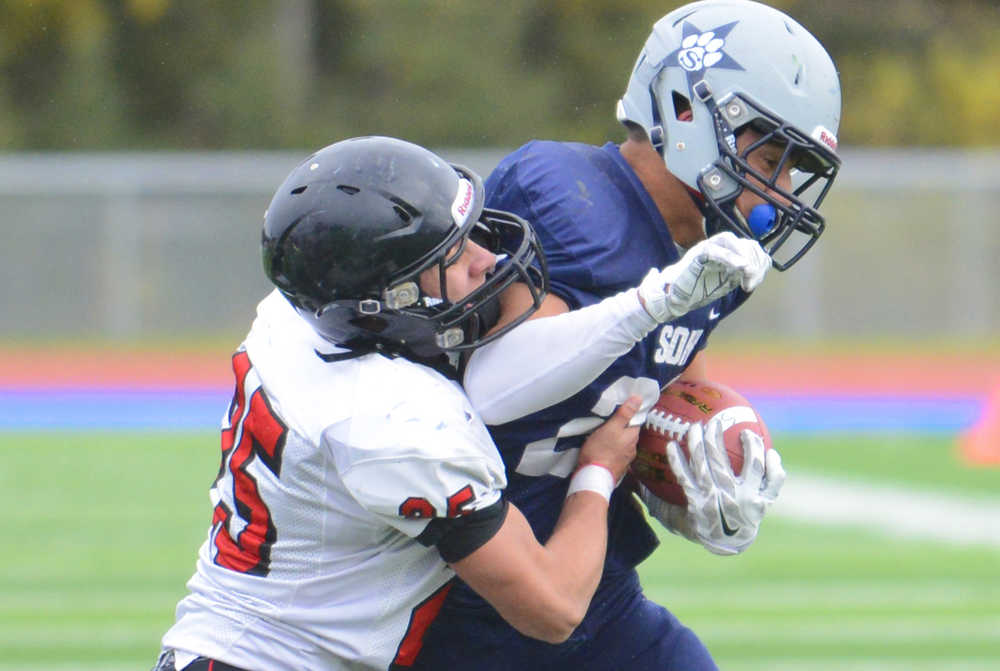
x=731 y=114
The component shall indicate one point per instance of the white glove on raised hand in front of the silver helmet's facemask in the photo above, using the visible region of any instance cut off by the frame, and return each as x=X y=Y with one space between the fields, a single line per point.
x=708 y=271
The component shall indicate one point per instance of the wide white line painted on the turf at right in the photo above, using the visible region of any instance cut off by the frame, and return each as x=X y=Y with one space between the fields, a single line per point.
x=895 y=511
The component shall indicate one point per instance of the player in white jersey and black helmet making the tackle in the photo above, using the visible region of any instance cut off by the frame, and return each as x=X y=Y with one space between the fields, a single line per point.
x=356 y=480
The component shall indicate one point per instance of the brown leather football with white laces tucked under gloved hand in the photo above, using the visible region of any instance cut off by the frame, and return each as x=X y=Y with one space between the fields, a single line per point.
x=682 y=403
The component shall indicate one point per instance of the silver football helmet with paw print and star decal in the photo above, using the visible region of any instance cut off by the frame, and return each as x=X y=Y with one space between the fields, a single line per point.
x=711 y=68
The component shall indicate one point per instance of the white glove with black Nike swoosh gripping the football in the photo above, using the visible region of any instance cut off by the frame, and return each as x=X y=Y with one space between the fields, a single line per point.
x=724 y=511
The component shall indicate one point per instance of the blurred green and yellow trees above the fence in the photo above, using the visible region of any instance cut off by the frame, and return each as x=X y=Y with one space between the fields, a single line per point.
x=270 y=74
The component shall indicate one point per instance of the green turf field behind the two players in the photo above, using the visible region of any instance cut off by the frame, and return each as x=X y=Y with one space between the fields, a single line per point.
x=101 y=532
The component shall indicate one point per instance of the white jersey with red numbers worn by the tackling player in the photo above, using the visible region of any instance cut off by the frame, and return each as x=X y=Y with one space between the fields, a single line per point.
x=330 y=470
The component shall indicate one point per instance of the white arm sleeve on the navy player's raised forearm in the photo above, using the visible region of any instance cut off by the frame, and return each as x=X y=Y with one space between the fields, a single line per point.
x=547 y=360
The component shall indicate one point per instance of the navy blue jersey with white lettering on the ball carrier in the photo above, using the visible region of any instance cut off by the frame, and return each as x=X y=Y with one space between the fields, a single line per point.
x=601 y=233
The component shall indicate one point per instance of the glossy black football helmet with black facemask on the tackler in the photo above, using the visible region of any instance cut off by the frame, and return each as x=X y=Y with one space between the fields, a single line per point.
x=350 y=230
